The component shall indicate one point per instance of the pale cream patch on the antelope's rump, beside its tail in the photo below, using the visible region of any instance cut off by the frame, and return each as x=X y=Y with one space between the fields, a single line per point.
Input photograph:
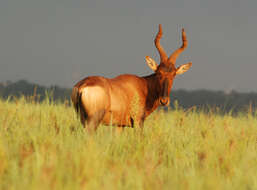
x=94 y=99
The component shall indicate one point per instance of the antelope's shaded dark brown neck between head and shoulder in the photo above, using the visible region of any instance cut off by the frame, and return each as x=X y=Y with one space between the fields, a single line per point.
x=153 y=92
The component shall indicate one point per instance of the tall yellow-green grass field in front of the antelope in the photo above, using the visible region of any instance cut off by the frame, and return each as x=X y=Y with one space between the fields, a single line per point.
x=43 y=146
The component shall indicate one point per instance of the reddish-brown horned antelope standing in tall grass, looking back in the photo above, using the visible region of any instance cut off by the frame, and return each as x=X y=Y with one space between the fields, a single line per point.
x=127 y=99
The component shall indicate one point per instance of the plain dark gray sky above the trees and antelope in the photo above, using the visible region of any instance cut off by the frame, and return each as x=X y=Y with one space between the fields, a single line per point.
x=62 y=41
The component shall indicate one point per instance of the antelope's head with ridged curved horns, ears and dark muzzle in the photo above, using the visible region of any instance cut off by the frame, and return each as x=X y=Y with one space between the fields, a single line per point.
x=166 y=70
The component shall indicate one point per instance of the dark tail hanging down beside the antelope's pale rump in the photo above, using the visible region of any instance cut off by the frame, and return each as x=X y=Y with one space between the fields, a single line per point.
x=77 y=103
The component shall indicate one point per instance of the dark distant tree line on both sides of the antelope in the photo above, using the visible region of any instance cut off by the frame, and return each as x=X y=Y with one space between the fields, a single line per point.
x=199 y=99
